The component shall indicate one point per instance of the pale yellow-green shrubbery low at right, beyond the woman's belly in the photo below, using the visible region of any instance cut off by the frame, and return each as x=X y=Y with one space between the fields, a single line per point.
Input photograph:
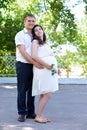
x=72 y=59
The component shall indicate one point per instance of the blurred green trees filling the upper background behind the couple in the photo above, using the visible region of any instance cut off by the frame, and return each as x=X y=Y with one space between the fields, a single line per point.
x=55 y=16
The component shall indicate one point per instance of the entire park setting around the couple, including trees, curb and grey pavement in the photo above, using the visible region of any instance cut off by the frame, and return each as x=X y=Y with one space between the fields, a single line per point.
x=65 y=23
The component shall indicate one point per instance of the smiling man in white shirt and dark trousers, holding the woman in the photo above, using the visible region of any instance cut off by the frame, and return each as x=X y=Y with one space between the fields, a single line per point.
x=24 y=68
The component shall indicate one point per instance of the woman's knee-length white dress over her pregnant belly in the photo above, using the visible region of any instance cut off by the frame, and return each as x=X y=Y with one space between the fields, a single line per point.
x=43 y=80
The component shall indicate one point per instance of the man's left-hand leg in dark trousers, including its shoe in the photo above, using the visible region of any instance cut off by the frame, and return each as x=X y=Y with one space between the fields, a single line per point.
x=21 y=90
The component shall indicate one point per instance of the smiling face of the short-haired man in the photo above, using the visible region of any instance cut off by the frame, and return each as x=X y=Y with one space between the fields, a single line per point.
x=29 y=22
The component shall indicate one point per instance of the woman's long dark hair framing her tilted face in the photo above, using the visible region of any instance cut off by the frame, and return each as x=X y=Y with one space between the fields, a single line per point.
x=36 y=37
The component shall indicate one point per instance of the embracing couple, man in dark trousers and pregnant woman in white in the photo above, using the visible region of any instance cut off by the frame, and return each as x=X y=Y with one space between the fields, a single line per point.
x=37 y=71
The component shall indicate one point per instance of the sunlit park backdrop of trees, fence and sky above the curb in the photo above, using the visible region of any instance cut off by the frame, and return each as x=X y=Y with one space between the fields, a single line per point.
x=65 y=23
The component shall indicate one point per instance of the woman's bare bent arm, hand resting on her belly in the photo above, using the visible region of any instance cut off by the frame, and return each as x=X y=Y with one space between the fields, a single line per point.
x=34 y=49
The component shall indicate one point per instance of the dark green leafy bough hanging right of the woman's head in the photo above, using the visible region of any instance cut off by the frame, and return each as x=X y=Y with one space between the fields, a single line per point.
x=62 y=14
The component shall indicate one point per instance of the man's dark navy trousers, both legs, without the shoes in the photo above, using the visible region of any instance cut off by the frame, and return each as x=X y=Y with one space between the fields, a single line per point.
x=25 y=100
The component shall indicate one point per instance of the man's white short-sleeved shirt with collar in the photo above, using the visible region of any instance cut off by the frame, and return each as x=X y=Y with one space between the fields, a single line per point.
x=23 y=38
